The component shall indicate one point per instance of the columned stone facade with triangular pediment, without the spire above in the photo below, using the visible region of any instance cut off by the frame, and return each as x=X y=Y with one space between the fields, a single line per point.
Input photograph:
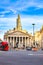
x=20 y=37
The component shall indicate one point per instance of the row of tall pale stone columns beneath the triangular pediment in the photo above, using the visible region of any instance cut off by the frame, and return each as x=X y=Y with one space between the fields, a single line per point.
x=22 y=41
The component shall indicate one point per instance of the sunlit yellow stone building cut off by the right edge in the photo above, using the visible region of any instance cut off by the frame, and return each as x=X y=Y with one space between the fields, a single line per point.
x=39 y=37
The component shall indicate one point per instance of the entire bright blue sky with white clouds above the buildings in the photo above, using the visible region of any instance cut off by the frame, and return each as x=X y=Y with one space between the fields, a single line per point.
x=31 y=11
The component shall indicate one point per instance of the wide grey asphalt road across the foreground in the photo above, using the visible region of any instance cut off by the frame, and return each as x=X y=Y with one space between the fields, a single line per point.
x=21 y=57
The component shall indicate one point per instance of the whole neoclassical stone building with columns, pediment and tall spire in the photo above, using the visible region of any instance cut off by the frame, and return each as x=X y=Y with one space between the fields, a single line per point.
x=18 y=35
